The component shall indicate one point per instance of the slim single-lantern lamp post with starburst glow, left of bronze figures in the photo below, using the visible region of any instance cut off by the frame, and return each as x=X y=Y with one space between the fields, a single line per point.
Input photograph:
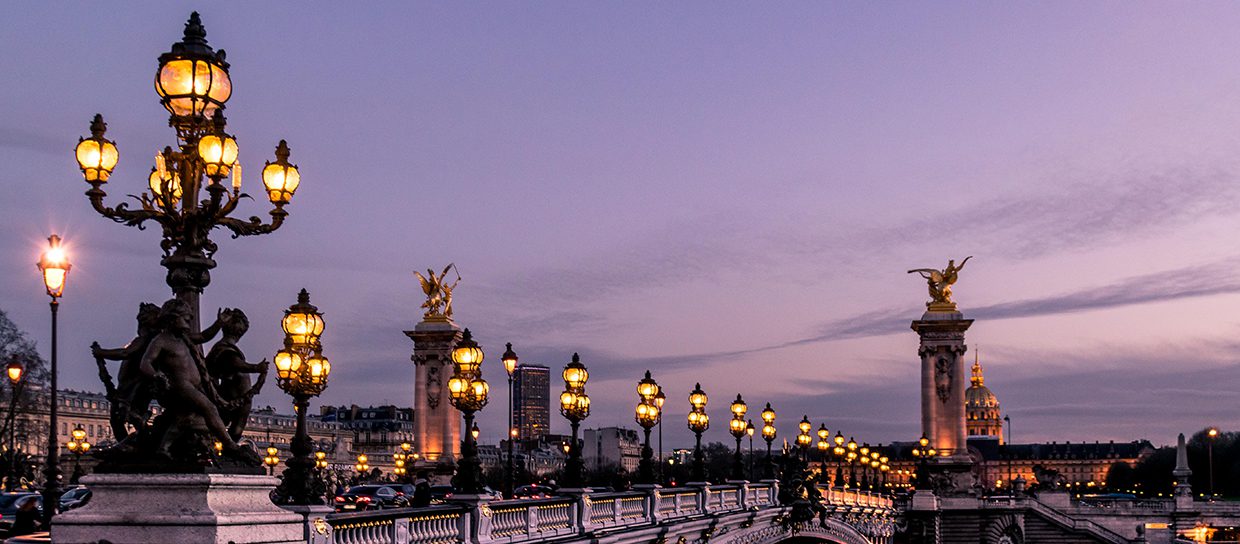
x=54 y=266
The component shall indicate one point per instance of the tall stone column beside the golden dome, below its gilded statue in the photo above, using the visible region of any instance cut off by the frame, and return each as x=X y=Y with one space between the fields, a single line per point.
x=943 y=379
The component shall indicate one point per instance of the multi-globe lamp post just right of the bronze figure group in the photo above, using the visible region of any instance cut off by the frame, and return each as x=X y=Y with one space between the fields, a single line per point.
x=302 y=371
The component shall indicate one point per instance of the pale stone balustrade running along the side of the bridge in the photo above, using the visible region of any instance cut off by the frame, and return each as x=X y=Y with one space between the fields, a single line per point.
x=525 y=521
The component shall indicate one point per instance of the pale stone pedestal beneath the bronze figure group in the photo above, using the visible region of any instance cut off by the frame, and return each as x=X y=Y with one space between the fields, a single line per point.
x=179 y=509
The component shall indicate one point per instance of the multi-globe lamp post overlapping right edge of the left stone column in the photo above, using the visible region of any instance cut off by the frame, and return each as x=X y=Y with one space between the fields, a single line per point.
x=468 y=392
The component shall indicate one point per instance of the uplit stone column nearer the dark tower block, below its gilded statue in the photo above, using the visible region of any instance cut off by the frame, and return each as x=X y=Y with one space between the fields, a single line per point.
x=437 y=424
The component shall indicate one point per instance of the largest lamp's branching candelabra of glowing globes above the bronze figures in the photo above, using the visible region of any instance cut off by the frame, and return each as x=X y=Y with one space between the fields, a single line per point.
x=194 y=85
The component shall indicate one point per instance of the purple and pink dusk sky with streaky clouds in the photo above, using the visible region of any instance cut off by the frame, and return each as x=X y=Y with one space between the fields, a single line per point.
x=720 y=193
